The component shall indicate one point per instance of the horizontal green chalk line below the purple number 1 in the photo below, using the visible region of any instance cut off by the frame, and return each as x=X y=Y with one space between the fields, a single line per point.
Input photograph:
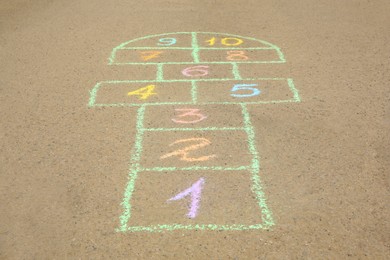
x=172 y=227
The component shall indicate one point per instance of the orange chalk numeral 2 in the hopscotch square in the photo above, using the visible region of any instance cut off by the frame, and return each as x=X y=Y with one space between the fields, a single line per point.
x=183 y=153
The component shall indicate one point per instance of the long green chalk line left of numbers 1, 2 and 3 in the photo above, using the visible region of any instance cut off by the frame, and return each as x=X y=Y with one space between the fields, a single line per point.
x=133 y=172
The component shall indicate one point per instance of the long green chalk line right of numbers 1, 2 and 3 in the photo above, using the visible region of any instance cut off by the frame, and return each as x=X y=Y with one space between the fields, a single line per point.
x=255 y=168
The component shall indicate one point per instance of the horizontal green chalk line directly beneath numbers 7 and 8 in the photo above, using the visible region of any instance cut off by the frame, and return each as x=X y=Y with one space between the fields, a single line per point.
x=192 y=63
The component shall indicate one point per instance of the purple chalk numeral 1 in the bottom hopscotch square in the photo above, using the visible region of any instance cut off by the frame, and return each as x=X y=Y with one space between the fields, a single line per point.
x=195 y=191
